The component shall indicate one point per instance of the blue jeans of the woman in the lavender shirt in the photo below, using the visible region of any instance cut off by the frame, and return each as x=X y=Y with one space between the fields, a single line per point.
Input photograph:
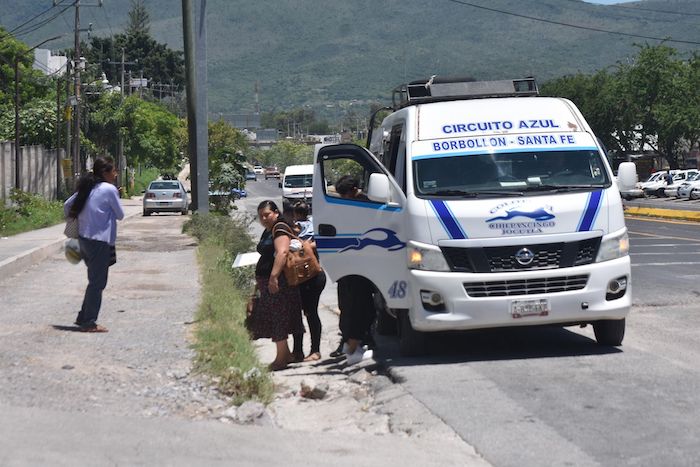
x=96 y=255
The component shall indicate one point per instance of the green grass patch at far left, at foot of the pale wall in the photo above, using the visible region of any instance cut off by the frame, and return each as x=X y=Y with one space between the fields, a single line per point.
x=29 y=212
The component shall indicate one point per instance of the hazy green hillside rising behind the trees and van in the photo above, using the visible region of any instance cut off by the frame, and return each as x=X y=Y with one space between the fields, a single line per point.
x=307 y=52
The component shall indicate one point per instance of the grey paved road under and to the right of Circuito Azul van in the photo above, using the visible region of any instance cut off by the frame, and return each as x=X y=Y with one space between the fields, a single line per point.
x=532 y=397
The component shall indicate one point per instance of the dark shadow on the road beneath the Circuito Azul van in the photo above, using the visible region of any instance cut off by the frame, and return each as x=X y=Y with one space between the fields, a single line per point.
x=493 y=345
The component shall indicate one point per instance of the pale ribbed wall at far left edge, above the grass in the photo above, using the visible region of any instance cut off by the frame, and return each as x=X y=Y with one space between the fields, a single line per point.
x=38 y=170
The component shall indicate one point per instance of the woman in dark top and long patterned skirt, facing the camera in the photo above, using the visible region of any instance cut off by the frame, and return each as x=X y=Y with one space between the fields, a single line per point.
x=275 y=311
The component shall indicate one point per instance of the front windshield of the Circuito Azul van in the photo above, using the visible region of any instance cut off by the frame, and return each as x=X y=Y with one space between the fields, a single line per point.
x=513 y=173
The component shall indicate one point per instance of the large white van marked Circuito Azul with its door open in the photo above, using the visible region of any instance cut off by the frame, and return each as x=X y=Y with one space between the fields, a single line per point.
x=481 y=205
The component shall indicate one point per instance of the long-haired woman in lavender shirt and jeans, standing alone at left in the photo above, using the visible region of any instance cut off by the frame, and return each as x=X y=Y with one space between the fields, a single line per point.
x=96 y=206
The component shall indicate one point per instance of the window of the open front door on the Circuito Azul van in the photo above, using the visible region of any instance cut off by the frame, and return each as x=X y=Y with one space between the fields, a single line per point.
x=347 y=177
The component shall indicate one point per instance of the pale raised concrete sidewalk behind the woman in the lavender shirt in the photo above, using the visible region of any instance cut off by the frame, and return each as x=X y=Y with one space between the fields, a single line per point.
x=21 y=251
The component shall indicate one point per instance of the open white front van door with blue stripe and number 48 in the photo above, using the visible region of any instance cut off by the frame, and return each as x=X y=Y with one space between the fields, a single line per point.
x=361 y=231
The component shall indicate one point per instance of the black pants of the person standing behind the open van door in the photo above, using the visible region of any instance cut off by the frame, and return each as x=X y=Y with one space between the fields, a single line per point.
x=356 y=305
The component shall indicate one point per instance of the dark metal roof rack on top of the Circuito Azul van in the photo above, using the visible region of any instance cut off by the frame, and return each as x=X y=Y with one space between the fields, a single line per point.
x=438 y=89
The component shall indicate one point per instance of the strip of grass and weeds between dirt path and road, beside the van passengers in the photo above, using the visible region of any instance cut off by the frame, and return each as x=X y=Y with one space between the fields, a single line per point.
x=222 y=344
